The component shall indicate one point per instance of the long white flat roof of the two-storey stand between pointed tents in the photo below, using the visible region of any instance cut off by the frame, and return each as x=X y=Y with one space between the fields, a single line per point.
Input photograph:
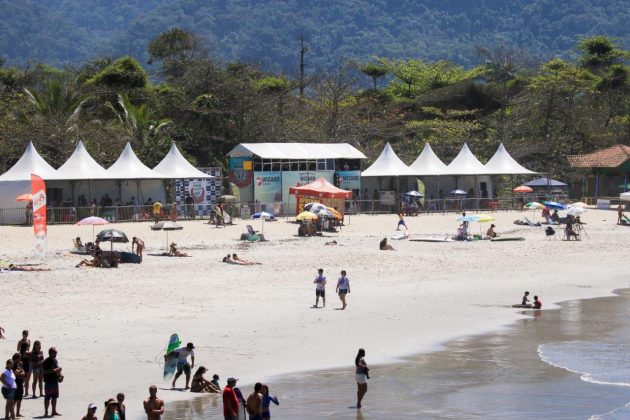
x=297 y=151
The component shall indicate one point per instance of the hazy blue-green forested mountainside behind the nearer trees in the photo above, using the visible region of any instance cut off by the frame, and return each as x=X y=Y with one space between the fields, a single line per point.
x=268 y=31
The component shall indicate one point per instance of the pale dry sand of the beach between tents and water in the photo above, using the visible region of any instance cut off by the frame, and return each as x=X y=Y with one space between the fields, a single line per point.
x=253 y=322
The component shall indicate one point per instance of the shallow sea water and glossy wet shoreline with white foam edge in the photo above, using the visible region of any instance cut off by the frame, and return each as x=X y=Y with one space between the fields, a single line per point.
x=570 y=363
